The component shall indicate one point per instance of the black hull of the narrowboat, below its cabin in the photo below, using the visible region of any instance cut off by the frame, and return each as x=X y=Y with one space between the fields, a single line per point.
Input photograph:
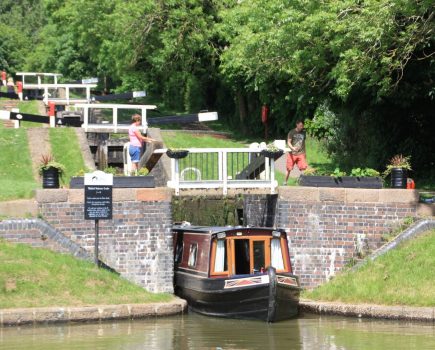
x=269 y=297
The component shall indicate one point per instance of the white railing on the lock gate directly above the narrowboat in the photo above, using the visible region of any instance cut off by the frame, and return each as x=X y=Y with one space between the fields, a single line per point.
x=221 y=168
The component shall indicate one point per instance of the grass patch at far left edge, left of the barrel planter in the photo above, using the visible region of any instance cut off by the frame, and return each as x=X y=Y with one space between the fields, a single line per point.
x=16 y=178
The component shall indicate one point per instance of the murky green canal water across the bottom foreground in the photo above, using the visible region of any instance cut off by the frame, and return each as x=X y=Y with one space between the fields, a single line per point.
x=191 y=332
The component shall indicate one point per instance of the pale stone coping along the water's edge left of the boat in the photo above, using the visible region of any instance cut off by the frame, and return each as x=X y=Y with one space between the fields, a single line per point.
x=15 y=317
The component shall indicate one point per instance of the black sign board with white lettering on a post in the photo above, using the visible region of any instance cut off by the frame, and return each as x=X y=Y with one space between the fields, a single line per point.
x=98 y=202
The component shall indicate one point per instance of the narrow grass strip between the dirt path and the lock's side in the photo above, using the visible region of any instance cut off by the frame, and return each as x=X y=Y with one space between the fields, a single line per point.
x=66 y=150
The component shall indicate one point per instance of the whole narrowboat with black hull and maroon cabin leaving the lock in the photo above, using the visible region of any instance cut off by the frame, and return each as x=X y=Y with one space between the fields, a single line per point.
x=235 y=272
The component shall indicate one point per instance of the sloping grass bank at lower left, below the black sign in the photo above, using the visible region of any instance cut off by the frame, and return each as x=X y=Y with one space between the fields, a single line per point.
x=35 y=277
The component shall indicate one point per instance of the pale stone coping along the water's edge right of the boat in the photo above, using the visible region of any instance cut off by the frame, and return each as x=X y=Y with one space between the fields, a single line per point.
x=408 y=313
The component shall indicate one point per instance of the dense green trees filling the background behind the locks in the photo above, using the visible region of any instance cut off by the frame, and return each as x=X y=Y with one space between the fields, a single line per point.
x=359 y=72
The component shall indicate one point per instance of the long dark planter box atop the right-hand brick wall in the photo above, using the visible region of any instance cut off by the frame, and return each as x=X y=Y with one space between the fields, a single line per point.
x=345 y=181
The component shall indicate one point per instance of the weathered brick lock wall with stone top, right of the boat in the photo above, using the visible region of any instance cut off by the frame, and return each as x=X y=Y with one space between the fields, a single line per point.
x=329 y=227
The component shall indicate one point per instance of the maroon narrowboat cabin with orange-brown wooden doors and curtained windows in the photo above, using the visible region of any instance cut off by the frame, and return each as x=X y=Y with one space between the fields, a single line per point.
x=222 y=252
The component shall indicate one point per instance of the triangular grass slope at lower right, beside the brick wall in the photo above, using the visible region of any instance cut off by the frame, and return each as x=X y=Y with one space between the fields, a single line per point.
x=403 y=276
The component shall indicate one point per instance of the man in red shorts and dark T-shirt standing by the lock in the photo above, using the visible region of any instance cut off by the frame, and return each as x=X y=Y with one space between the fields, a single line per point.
x=296 y=142
